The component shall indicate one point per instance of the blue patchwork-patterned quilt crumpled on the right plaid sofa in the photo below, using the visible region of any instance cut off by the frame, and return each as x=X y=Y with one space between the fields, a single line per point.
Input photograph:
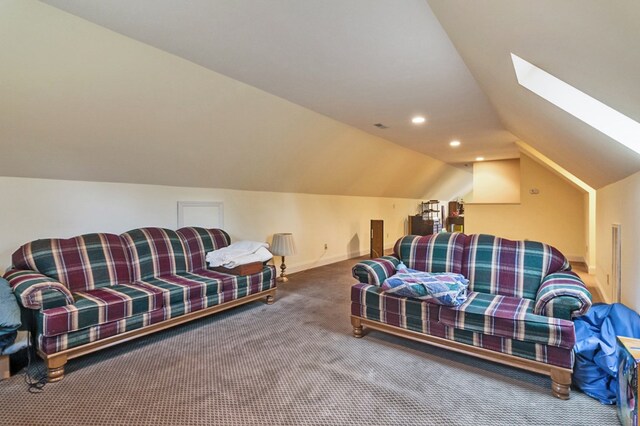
x=442 y=288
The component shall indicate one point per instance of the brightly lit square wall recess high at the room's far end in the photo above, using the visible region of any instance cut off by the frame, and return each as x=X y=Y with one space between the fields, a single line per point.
x=496 y=181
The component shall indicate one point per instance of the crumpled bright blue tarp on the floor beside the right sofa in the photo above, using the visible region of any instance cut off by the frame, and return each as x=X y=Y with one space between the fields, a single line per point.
x=596 y=367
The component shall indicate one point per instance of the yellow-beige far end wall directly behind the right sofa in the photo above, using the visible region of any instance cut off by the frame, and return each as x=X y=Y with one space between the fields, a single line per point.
x=555 y=216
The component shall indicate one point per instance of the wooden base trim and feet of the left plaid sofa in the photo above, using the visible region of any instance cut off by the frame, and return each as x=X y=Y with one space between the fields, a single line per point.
x=56 y=362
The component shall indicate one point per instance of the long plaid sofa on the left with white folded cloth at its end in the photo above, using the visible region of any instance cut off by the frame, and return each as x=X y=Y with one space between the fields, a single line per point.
x=95 y=290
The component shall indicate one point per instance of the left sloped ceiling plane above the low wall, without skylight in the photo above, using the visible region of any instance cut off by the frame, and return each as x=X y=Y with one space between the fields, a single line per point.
x=81 y=102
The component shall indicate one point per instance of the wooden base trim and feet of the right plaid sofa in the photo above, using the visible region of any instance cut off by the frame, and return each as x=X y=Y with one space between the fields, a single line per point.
x=560 y=377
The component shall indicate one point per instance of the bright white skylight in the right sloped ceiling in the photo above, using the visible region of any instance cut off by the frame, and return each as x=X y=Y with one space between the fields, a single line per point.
x=593 y=112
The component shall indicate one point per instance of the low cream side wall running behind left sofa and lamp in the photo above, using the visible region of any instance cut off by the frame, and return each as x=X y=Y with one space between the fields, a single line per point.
x=41 y=208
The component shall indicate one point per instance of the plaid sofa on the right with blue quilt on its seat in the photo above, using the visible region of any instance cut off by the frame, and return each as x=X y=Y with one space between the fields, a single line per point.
x=521 y=301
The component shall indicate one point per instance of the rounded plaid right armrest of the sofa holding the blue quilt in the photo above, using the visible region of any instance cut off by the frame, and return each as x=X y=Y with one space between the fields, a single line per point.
x=562 y=295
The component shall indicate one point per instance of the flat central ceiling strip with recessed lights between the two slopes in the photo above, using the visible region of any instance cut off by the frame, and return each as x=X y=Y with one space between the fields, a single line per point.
x=359 y=61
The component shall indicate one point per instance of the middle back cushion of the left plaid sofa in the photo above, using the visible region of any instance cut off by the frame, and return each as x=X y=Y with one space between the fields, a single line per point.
x=155 y=252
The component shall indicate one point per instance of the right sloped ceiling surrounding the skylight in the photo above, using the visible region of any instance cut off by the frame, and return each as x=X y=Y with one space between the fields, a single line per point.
x=590 y=44
